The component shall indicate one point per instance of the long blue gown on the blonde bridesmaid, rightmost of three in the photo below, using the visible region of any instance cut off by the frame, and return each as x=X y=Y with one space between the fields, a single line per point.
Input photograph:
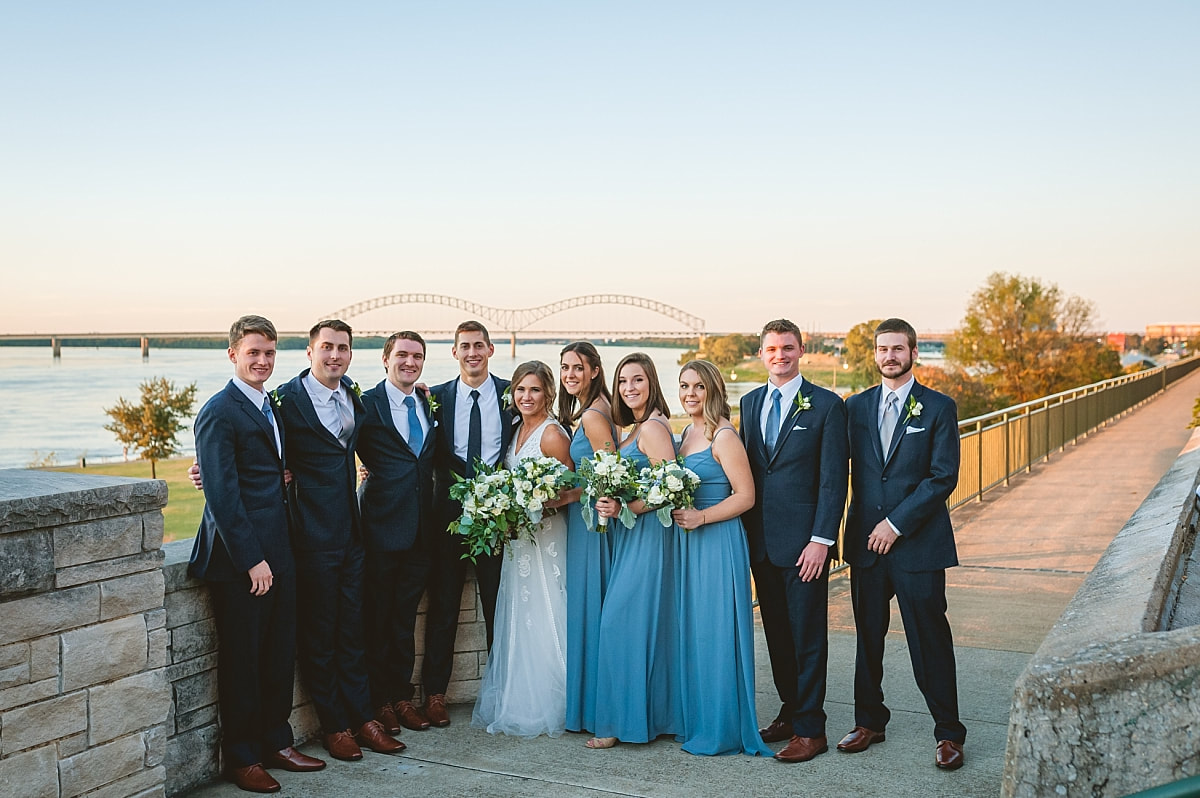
x=717 y=626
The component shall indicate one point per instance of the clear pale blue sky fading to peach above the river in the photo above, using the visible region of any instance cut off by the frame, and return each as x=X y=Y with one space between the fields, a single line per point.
x=171 y=166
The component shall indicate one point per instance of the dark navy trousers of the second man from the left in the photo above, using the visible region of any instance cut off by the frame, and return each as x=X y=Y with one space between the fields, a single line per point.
x=331 y=637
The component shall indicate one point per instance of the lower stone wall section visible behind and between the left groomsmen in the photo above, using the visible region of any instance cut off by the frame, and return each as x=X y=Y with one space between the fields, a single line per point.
x=194 y=745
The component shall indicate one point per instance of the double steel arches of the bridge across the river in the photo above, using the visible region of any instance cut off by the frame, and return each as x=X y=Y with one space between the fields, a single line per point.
x=519 y=320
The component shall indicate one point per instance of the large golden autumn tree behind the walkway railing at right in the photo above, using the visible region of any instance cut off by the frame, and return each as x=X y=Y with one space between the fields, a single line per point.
x=1023 y=339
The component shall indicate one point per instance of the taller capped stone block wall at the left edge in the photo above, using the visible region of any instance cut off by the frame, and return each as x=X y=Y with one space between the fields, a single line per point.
x=85 y=698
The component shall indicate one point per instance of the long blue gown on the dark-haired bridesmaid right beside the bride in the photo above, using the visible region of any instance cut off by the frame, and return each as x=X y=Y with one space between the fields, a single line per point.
x=587 y=571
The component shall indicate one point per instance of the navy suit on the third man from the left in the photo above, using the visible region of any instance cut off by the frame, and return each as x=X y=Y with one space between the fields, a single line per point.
x=398 y=529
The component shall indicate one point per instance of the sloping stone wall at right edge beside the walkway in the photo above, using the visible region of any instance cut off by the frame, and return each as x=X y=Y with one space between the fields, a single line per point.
x=1111 y=704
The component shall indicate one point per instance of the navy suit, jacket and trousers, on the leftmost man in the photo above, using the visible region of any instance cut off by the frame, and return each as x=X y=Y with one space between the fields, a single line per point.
x=245 y=523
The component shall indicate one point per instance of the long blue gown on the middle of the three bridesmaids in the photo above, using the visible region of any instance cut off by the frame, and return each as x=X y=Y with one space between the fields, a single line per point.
x=638 y=682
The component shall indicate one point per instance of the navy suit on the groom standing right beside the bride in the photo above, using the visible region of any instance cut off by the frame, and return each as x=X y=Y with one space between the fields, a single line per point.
x=448 y=568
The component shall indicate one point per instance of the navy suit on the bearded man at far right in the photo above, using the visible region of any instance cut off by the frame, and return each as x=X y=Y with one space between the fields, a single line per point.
x=909 y=485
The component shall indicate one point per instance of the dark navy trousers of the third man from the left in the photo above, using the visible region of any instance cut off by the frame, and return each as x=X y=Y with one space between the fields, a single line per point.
x=395 y=584
